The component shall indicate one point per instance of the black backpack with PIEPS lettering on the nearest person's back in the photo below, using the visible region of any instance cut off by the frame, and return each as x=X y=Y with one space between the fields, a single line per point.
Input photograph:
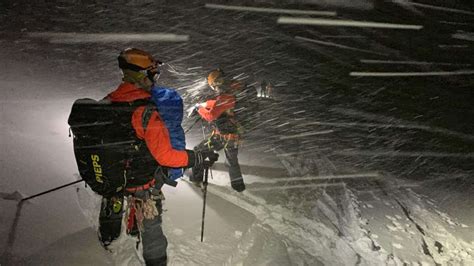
x=109 y=156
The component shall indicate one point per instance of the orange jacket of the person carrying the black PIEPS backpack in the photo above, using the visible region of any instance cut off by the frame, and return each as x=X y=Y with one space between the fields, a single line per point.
x=156 y=135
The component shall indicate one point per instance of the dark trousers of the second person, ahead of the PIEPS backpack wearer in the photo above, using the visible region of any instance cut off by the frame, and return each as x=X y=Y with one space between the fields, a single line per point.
x=230 y=146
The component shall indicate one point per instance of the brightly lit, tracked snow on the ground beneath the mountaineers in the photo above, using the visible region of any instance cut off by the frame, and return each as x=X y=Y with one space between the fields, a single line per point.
x=342 y=225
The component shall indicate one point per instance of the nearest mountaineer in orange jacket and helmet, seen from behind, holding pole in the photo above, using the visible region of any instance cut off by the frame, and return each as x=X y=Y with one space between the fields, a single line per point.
x=140 y=74
